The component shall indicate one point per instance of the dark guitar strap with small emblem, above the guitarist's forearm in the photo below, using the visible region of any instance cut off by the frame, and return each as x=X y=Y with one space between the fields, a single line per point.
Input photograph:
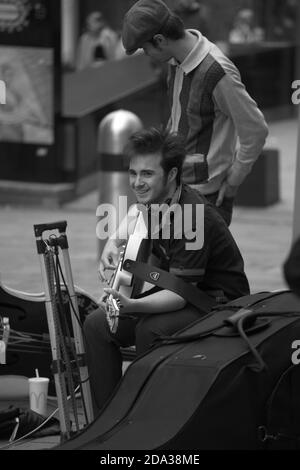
x=166 y=280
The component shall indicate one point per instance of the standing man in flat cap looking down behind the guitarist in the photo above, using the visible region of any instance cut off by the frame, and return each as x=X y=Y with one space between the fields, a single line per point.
x=210 y=106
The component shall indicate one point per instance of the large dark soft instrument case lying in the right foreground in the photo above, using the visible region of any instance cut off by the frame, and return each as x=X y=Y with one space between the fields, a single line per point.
x=210 y=388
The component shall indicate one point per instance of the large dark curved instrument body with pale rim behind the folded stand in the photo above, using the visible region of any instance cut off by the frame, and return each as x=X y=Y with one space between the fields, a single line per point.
x=27 y=314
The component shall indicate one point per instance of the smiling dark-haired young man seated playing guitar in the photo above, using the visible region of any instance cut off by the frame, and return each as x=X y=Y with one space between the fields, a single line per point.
x=216 y=266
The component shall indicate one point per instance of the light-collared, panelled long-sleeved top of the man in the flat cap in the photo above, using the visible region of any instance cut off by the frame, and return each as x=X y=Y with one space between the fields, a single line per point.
x=211 y=108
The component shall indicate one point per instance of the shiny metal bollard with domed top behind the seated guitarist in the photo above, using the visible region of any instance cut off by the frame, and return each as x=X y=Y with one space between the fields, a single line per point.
x=113 y=134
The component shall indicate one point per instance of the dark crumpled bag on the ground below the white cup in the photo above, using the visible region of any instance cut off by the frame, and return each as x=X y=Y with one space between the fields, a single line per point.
x=17 y=422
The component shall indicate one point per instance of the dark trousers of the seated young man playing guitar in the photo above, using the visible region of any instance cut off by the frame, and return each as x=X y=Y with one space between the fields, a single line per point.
x=104 y=358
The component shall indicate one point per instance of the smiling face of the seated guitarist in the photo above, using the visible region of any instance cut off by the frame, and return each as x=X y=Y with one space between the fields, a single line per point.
x=148 y=180
